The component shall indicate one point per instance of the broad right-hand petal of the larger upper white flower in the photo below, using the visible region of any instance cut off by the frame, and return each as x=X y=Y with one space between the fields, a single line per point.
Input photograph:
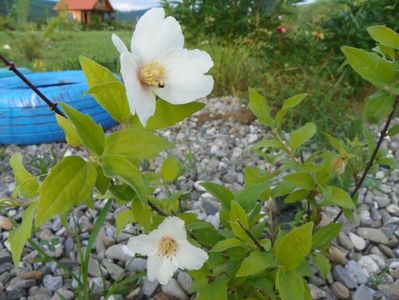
x=184 y=79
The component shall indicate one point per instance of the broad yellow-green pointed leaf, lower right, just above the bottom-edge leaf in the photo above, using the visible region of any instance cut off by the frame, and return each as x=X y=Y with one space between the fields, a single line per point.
x=291 y=249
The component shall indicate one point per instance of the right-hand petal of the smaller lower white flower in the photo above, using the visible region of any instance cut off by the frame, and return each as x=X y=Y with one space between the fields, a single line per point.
x=190 y=257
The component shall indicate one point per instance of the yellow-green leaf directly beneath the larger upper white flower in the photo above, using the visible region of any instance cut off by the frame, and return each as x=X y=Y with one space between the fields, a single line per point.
x=167 y=114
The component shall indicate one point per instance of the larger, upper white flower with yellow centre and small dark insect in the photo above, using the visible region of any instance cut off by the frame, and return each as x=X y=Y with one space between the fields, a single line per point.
x=159 y=65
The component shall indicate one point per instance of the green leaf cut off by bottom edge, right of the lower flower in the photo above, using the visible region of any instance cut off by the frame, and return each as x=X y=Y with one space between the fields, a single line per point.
x=290 y=285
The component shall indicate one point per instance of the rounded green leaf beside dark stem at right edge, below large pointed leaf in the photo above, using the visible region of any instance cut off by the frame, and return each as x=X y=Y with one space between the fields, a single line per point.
x=378 y=106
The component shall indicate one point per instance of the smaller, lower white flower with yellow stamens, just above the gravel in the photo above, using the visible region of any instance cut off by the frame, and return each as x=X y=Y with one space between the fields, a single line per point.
x=167 y=249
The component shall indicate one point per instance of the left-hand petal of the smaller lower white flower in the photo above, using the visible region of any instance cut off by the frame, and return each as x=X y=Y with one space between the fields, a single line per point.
x=145 y=244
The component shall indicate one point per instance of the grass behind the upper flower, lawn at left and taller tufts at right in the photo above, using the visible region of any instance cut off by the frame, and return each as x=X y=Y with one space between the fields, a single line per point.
x=277 y=68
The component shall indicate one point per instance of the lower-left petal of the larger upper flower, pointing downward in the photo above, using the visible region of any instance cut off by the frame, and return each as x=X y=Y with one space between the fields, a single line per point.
x=141 y=99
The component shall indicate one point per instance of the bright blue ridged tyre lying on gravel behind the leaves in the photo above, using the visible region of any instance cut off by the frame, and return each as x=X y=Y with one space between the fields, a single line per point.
x=25 y=119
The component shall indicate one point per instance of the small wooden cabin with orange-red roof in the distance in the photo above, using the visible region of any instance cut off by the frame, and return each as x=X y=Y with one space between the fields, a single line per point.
x=85 y=11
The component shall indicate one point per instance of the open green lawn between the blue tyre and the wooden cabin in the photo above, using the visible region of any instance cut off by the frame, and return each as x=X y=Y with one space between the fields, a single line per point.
x=60 y=50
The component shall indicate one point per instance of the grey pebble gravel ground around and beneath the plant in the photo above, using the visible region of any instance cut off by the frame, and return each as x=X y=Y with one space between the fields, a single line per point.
x=214 y=143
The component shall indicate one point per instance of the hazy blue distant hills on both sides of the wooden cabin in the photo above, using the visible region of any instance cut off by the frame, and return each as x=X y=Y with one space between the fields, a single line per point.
x=41 y=10
